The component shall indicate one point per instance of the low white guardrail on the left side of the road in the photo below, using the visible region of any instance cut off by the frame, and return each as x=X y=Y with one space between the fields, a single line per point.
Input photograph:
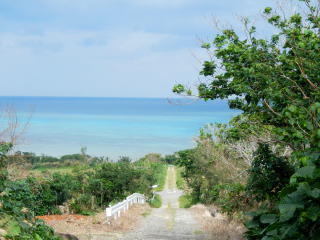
x=115 y=210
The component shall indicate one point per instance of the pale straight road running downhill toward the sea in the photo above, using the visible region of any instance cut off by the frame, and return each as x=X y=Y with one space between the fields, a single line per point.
x=169 y=221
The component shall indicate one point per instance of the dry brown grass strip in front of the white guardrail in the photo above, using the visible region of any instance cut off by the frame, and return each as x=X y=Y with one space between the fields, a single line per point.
x=98 y=225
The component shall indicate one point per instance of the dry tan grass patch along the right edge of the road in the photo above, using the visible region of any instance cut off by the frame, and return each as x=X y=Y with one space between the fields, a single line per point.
x=218 y=227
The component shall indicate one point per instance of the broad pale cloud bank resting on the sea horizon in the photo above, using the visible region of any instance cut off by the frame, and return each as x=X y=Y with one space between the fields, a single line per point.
x=122 y=64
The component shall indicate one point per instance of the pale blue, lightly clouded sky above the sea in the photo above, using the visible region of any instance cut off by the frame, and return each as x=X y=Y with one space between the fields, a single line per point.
x=109 y=48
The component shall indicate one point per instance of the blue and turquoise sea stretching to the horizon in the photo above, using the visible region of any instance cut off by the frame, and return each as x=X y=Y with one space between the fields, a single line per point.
x=113 y=127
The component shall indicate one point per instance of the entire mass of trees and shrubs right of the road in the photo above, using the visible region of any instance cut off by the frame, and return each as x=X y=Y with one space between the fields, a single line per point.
x=266 y=160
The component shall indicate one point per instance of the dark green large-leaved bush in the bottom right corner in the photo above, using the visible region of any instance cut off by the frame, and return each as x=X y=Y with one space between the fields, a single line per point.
x=297 y=215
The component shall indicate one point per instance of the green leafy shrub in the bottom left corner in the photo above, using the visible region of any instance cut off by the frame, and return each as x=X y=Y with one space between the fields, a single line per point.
x=17 y=203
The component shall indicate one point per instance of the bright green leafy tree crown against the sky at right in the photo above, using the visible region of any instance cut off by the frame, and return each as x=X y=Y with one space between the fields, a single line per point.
x=278 y=83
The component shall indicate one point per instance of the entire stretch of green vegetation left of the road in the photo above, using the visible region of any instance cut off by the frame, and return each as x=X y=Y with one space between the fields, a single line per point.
x=74 y=183
